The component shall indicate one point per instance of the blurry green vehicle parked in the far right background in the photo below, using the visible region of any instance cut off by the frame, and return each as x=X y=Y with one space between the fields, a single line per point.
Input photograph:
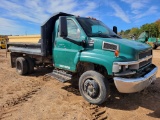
x=145 y=37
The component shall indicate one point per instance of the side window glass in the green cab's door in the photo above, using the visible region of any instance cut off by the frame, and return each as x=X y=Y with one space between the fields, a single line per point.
x=73 y=31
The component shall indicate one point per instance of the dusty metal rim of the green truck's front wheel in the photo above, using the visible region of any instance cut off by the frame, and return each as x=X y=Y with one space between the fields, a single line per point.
x=91 y=88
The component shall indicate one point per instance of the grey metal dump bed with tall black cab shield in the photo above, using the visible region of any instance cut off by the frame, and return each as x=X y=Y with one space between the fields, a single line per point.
x=44 y=47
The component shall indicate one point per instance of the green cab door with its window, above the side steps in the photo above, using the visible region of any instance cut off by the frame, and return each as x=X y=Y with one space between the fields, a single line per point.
x=65 y=52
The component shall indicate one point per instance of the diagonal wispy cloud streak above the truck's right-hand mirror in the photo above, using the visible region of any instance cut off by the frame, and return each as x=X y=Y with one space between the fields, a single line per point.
x=119 y=12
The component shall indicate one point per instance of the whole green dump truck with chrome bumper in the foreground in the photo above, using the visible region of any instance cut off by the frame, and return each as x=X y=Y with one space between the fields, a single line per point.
x=88 y=53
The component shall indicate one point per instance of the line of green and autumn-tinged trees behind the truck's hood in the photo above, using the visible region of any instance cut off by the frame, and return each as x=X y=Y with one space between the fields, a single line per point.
x=152 y=28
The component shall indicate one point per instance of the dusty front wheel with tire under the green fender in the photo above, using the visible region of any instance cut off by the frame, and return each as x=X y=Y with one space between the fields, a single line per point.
x=94 y=87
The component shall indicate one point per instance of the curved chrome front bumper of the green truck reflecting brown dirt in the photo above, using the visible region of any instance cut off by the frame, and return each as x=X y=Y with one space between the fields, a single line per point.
x=131 y=85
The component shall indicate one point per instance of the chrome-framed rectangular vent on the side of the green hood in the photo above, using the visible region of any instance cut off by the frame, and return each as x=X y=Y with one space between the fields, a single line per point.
x=109 y=46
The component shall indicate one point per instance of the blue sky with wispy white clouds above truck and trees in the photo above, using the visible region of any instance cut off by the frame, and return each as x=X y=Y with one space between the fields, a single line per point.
x=19 y=17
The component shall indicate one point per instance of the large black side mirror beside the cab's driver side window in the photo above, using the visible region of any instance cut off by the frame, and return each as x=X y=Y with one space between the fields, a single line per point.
x=63 y=26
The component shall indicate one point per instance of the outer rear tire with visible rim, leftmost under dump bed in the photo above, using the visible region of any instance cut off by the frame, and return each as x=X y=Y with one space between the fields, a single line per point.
x=21 y=65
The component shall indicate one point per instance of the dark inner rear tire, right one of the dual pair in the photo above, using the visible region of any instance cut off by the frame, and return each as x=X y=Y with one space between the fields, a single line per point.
x=30 y=65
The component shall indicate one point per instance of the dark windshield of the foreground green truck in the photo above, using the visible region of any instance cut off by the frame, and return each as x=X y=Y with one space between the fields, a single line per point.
x=95 y=28
